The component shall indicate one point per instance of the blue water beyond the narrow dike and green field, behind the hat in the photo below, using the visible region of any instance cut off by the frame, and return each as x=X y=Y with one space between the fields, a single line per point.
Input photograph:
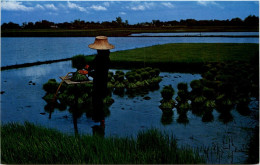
x=27 y=50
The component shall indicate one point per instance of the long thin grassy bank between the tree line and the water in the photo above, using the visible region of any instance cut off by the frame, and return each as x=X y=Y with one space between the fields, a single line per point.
x=120 y=32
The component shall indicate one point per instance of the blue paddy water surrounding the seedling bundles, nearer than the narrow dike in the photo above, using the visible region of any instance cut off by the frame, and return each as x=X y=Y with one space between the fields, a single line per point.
x=22 y=101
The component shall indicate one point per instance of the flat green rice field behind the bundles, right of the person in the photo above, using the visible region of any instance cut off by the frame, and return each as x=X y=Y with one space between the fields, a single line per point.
x=183 y=57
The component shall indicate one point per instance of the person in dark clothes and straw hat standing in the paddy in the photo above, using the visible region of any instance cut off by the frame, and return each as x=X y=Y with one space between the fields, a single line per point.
x=100 y=65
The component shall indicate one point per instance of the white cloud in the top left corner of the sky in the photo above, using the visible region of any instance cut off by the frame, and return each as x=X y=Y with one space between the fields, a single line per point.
x=15 y=6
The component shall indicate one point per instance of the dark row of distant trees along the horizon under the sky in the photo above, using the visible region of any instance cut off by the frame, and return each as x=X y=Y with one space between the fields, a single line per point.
x=251 y=20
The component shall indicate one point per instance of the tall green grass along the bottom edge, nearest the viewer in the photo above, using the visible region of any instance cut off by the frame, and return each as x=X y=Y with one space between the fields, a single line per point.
x=34 y=144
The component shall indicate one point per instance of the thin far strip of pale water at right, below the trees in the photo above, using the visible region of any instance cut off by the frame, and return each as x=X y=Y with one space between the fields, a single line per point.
x=199 y=34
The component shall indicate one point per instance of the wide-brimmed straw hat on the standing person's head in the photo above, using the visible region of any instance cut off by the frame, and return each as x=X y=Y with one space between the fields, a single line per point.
x=101 y=43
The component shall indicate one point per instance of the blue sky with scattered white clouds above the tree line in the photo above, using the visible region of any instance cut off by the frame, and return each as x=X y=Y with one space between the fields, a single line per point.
x=133 y=11
